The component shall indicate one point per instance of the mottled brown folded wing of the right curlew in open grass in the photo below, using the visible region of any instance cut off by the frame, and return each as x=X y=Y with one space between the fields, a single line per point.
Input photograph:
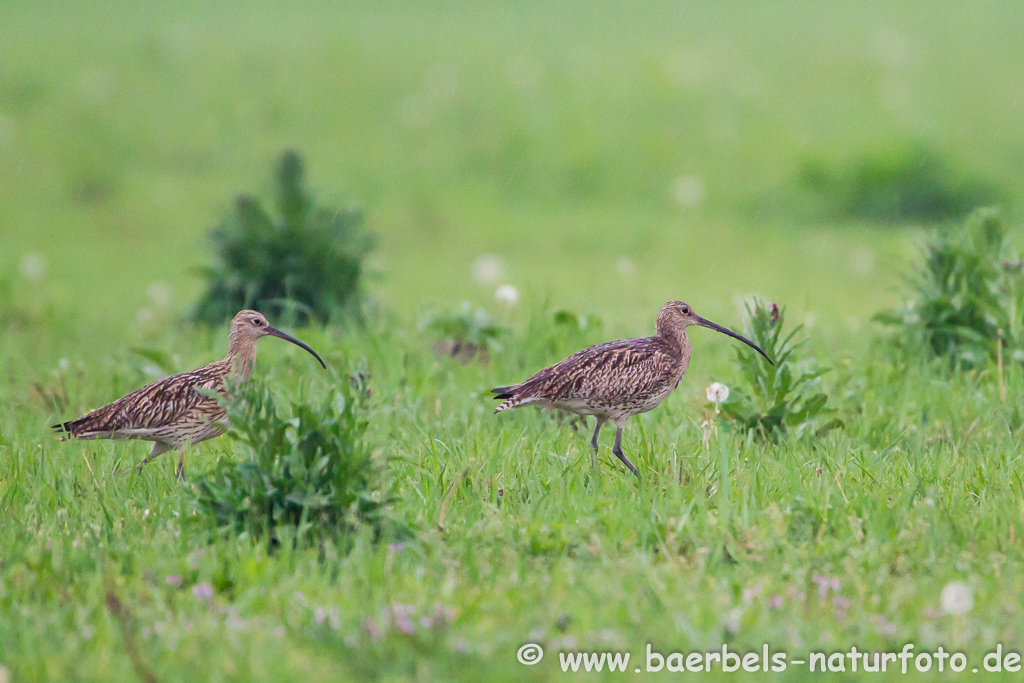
x=613 y=371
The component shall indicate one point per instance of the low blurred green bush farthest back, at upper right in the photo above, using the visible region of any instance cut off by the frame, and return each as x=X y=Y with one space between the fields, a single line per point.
x=908 y=182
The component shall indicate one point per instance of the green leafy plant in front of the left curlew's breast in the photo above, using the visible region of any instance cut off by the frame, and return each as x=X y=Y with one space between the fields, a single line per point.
x=308 y=466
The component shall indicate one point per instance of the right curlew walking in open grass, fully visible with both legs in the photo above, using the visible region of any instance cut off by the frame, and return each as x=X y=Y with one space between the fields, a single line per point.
x=617 y=380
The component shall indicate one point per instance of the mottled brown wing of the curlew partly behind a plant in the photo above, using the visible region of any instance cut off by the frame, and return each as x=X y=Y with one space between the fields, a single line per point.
x=155 y=406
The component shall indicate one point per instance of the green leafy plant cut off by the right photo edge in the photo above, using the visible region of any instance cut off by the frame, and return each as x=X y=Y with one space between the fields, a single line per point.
x=967 y=294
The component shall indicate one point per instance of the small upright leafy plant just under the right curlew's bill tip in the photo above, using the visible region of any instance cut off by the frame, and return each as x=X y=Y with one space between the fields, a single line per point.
x=781 y=400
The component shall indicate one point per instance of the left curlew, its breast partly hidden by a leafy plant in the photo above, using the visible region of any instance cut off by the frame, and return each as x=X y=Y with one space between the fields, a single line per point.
x=170 y=412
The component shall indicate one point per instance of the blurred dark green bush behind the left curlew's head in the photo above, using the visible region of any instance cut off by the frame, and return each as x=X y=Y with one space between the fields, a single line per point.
x=306 y=263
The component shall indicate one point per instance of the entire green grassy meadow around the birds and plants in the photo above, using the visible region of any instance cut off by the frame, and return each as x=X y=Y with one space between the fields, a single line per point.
x=607 y=157
